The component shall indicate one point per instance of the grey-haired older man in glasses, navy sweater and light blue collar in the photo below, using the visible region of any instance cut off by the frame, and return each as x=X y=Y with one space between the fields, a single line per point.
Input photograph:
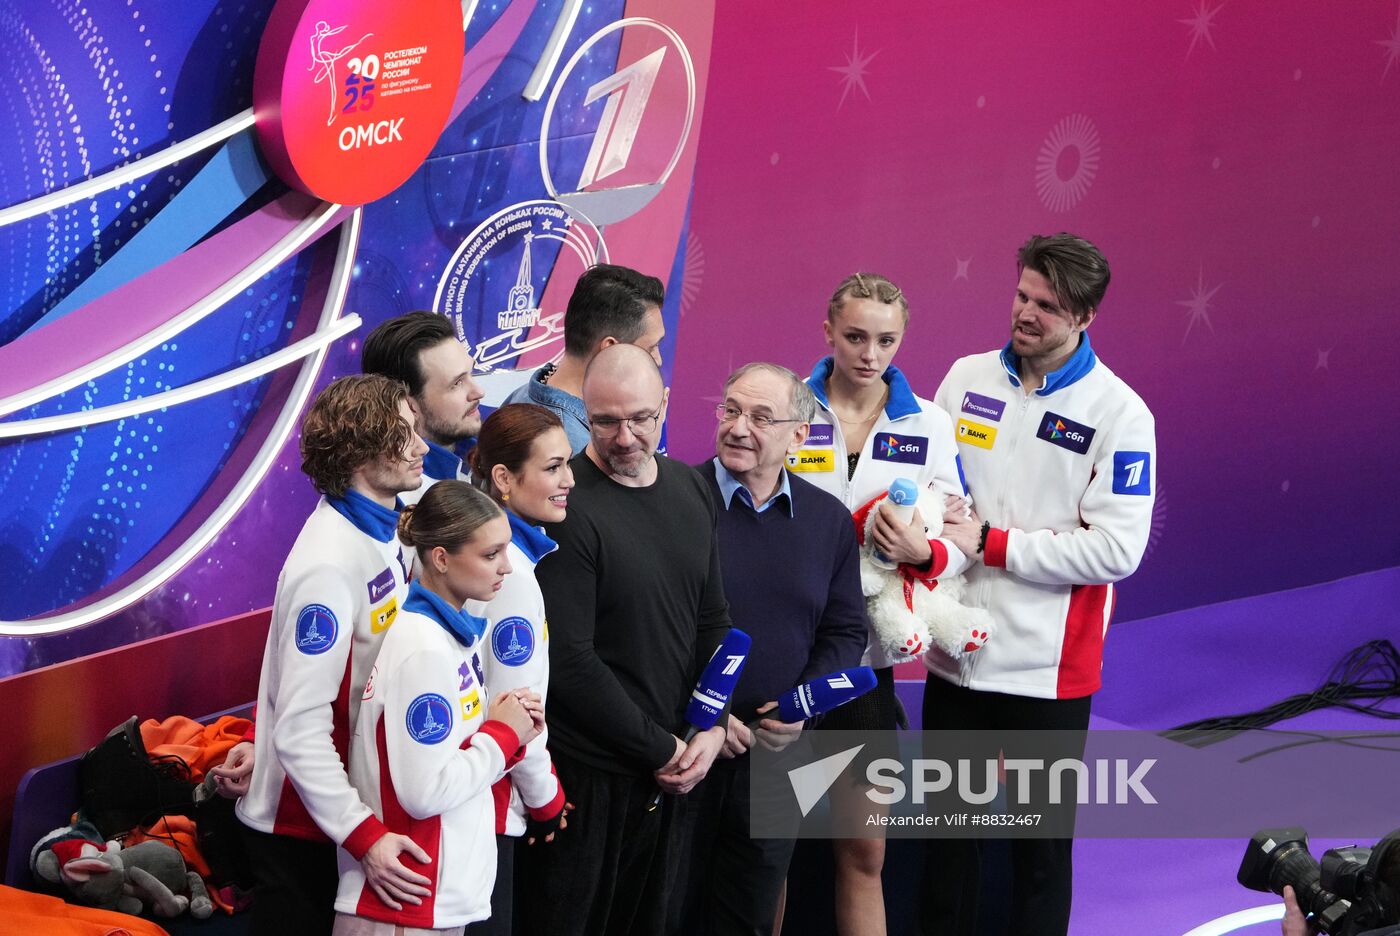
x=789 y=560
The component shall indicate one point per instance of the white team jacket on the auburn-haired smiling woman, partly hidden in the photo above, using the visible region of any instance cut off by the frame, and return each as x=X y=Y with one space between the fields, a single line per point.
x=517 y=657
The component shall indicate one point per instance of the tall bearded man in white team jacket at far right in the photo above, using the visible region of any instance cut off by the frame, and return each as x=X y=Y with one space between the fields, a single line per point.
x=1060 y=455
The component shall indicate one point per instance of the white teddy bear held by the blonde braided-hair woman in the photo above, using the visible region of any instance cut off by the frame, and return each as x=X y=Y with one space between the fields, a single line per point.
x=911 y=614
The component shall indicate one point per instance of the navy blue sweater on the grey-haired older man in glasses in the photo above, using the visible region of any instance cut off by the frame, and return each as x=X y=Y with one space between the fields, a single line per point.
x=794 y=587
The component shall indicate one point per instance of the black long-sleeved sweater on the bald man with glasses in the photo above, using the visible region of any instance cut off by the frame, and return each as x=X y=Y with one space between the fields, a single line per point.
x=636 y=609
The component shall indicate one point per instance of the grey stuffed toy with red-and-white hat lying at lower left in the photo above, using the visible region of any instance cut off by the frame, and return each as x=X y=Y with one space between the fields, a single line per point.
x=149 y=875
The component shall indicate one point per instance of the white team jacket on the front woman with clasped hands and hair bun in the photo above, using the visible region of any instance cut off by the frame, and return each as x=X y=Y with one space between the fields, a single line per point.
x=426 y=758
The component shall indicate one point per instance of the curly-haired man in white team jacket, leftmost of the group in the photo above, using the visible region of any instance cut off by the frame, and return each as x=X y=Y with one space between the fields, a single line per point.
x=338 y=594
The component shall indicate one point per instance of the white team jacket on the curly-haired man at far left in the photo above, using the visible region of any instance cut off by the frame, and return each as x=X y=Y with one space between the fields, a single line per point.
x=338 y=594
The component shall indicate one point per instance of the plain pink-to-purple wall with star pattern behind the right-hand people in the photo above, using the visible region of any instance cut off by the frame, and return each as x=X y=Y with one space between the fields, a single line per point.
x=1237 y=163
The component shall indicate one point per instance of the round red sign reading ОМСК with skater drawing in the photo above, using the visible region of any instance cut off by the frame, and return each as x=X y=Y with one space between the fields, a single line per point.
x=351 y=96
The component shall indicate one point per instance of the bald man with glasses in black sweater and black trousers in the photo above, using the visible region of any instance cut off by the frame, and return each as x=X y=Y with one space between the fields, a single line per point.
x=636 y=608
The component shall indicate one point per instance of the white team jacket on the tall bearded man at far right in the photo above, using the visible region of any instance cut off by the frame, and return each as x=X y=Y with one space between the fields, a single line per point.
x=1067 y=478
